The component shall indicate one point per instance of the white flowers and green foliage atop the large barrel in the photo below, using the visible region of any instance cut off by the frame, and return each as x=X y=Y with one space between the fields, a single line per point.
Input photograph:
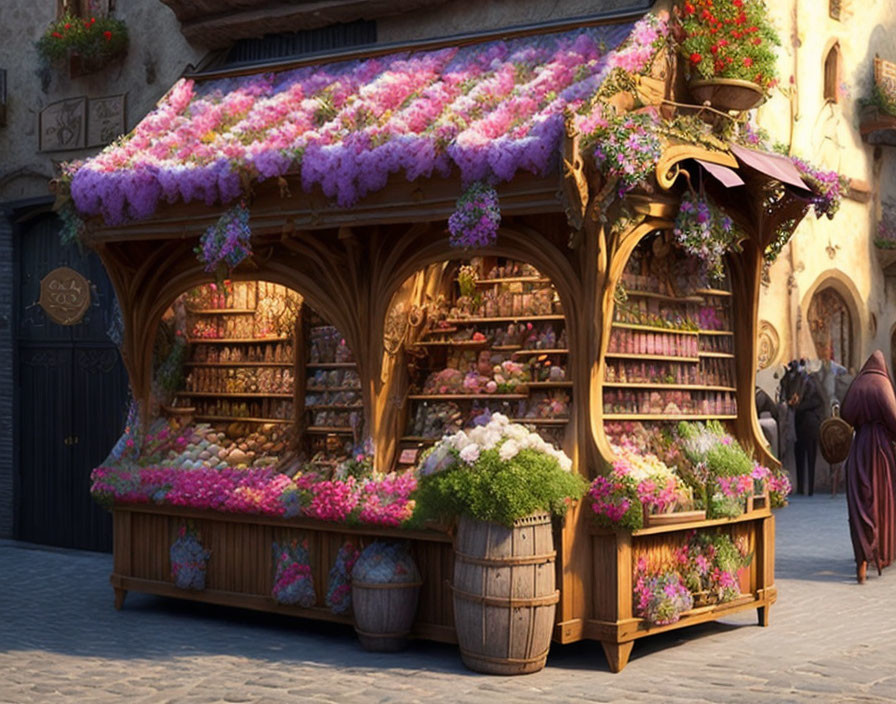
x=499 y=472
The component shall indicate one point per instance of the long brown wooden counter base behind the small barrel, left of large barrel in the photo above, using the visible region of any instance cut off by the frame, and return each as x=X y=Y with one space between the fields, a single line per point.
x=241 y=568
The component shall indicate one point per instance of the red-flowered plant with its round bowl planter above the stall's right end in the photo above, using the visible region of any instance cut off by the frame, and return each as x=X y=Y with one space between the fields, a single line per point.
x=728 y=51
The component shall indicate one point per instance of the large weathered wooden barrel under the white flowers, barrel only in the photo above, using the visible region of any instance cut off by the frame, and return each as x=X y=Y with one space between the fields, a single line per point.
x=504 y=595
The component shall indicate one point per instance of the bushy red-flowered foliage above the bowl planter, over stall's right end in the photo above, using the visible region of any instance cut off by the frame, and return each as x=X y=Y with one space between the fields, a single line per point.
x=728 y=39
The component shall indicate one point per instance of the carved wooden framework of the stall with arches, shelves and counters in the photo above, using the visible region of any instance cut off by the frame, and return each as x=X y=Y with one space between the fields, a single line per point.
x=382 y=275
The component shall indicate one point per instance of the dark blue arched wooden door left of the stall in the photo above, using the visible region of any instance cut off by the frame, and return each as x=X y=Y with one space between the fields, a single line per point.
x=72 y=397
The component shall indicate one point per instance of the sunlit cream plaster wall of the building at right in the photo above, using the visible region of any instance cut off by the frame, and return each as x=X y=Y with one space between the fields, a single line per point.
x=839 y=251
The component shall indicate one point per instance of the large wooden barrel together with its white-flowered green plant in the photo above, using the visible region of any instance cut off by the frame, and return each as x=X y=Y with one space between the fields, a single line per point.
x=504 y=482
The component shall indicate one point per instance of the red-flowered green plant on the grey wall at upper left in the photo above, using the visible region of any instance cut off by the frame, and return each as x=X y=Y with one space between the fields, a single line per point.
x=84 y=45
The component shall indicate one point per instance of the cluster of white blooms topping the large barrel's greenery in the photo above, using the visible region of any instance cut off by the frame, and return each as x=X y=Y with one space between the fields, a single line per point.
x=509 y=438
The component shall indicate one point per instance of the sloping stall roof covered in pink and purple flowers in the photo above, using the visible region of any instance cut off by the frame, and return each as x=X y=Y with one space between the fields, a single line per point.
x=488 y=110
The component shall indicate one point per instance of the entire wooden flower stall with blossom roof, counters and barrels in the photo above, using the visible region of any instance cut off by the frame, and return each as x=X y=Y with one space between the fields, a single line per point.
x=353 y=291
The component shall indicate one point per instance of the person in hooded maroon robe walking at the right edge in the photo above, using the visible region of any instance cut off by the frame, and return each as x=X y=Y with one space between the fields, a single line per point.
x=870 y=407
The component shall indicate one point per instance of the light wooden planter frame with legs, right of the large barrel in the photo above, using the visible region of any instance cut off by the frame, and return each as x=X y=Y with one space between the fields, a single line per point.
x=614 y=554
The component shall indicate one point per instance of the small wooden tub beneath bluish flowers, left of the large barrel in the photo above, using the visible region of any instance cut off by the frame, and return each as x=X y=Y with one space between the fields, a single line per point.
x=384 y=614
